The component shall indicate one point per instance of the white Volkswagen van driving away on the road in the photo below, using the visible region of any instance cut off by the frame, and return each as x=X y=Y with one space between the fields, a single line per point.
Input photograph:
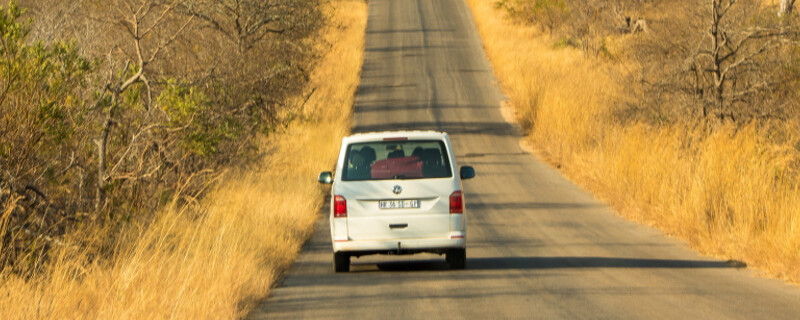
x=397 y=193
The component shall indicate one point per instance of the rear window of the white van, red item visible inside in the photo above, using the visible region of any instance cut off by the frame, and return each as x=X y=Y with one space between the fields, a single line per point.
x=384 y=160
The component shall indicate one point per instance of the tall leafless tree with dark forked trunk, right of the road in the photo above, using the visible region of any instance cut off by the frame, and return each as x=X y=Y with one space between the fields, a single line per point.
x=734 y=63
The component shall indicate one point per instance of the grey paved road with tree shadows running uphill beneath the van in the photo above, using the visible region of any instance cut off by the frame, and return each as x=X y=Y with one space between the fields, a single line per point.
x=538 y=247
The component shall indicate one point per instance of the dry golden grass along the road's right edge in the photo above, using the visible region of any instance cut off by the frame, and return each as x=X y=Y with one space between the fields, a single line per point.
x=731 y=193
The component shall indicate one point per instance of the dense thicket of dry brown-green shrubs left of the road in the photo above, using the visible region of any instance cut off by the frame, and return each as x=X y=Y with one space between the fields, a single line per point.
x=113 y=110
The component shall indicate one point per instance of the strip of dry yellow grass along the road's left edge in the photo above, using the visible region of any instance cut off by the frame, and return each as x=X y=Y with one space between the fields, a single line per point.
x=216 y=260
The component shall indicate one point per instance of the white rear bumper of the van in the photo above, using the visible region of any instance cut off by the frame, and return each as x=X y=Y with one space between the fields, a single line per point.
x=399 y=246
